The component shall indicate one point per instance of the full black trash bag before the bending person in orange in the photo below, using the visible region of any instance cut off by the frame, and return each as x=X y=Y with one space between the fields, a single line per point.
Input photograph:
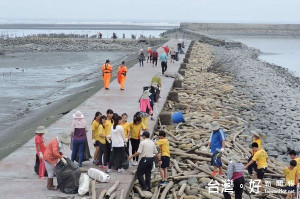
x=67 y=177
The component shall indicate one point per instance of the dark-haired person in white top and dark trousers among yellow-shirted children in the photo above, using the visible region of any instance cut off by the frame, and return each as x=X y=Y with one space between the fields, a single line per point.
x=117 y=143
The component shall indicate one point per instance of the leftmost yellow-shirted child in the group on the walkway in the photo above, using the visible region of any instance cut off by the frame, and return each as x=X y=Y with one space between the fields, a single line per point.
x=95 y=136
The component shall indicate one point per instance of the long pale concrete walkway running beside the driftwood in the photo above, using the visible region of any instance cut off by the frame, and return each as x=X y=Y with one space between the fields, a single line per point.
x=17 y=177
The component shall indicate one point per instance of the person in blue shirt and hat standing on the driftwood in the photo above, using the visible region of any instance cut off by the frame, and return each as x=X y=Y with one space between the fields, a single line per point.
x=216 y=144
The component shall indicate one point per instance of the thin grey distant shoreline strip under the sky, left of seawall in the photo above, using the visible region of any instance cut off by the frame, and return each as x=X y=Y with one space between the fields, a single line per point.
x=85 y=26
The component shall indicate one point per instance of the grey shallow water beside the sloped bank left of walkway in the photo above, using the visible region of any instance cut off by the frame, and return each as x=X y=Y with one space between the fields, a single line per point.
x=33 y=80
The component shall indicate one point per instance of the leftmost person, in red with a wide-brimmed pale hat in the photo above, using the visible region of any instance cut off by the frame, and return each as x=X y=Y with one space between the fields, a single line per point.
x=40 y=147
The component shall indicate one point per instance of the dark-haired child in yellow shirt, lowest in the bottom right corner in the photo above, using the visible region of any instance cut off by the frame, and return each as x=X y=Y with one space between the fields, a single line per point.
x=290 y=173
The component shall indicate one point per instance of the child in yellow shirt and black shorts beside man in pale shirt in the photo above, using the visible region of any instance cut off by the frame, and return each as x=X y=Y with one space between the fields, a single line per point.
x=164 y=161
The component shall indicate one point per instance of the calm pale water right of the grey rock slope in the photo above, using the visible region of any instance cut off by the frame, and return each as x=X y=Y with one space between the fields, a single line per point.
x=284 y=52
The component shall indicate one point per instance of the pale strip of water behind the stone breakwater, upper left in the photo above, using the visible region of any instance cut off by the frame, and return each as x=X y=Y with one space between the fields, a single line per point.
x=4 y=33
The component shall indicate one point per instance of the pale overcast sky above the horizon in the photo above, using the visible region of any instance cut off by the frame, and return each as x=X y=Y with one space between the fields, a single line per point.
x=258 y=11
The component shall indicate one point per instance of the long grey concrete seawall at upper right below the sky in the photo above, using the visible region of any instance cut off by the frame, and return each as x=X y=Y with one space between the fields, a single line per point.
x=245 y=29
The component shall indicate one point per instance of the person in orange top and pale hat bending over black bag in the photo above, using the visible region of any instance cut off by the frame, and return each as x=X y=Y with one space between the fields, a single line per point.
x=53 y=155
